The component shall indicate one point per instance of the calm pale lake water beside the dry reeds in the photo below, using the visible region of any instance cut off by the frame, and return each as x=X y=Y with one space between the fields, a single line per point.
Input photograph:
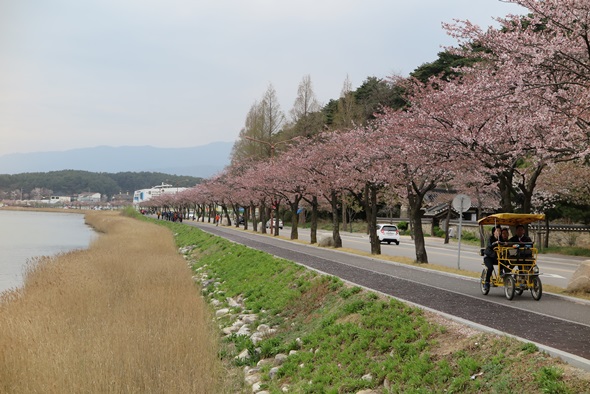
x=24 y=235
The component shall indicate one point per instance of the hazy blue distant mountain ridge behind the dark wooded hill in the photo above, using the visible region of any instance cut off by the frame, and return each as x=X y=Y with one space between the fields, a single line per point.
x=199 y=161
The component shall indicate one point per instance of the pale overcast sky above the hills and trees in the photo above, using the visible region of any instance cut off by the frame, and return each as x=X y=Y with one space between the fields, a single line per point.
x=180 y=73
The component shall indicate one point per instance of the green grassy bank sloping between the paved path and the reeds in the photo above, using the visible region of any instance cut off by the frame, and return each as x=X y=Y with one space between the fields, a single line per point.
x=343 y=333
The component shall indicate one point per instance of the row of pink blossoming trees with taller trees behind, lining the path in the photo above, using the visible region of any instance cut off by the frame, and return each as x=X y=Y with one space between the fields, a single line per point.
x=511 y=119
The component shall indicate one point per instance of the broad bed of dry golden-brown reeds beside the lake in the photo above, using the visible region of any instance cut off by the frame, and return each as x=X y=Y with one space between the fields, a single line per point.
x=123 y=316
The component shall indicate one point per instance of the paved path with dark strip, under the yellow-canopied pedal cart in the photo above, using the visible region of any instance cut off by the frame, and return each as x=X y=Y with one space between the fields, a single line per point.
x=559 y=325
